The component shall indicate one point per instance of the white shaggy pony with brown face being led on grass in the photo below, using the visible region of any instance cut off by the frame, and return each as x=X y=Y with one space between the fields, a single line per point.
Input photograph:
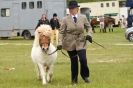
x=39 y=53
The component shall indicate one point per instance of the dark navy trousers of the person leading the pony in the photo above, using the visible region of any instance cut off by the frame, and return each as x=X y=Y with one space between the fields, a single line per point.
x=84 y=70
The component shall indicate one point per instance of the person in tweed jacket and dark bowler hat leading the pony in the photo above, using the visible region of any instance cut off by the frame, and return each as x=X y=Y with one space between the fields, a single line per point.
x=72 y=38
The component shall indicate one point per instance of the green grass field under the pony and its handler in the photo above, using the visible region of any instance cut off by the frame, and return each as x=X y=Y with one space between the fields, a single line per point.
x=109 y=68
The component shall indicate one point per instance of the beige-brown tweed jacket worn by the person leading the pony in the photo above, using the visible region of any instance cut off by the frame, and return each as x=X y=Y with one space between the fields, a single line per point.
x=71 y=34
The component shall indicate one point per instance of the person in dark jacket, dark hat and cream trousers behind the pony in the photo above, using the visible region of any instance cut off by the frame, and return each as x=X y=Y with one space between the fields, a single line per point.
x=54 y=22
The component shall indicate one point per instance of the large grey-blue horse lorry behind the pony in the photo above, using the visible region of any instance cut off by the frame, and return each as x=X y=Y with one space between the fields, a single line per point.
x=20 y=17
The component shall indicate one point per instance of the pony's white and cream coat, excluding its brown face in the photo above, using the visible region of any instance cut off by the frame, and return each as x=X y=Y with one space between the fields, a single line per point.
x=43 y=61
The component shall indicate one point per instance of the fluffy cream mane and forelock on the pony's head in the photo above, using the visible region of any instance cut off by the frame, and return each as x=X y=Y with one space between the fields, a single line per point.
x=42 y=30
